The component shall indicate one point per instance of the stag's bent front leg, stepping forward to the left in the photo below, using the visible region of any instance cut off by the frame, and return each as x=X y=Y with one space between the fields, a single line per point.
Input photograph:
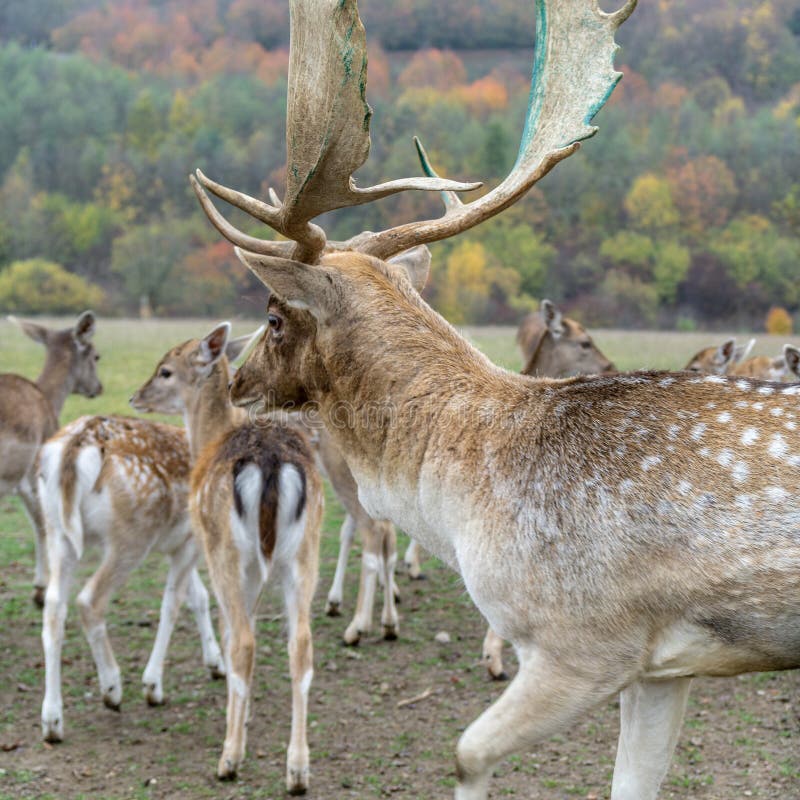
x=543 y=699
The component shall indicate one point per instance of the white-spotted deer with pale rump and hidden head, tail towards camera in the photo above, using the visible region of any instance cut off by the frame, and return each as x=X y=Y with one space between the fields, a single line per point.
x=121 y=483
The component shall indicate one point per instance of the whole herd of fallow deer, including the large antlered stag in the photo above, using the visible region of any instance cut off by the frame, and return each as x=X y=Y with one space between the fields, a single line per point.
x=624 y=531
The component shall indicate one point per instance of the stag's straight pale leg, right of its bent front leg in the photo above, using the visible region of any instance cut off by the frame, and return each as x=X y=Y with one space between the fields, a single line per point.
x=651 y=714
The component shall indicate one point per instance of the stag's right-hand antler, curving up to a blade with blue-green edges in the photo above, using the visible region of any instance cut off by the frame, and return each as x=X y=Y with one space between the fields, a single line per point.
x=573 y=76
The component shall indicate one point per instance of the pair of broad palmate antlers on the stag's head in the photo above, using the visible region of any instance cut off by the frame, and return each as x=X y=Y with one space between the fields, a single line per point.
x=328 y=118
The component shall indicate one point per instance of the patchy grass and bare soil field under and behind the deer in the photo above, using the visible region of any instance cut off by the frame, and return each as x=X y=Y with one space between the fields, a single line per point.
x=740 y=739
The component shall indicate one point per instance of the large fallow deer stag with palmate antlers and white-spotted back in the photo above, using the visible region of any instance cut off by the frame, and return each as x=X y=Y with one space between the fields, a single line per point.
x=624 y=532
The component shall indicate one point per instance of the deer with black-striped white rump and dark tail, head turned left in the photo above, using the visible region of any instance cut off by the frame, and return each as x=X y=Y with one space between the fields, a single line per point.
x=256 y=504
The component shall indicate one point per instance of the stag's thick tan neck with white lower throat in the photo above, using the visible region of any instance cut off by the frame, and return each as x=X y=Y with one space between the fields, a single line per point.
x=417 y=413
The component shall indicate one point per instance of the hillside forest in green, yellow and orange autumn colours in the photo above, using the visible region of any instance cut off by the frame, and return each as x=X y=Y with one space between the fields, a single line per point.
x=684 y=211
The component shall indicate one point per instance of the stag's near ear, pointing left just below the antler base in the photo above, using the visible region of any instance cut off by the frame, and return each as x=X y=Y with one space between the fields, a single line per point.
x=301 y=285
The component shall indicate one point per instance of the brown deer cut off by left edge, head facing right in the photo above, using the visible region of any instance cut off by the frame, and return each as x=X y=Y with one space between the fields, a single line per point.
x=29 y=414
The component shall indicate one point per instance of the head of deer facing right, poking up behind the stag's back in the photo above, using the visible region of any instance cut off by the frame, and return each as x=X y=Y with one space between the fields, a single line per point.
x=554 y=346
